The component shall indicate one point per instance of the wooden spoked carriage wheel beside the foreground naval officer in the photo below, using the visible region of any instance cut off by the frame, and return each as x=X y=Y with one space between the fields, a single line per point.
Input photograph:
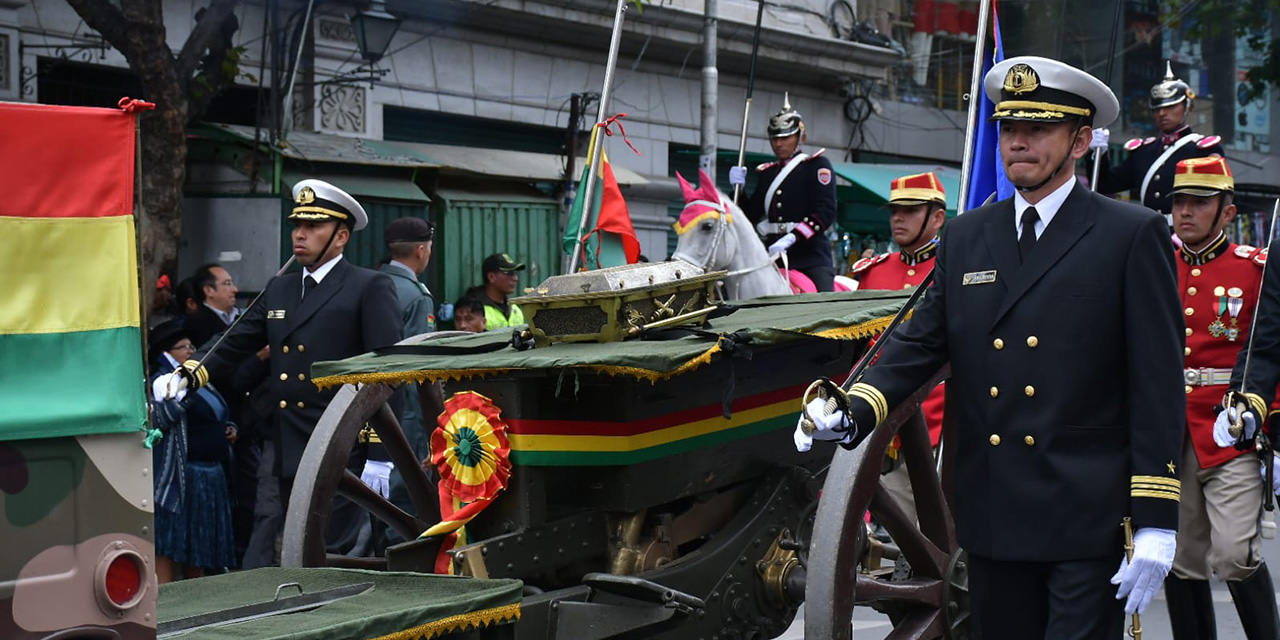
x=932 y=601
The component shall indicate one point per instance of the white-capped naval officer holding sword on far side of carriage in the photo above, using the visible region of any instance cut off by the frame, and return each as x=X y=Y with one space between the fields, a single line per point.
x=331 y=310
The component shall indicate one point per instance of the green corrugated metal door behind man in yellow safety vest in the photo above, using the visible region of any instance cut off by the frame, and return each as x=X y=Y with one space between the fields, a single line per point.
x=474 y=226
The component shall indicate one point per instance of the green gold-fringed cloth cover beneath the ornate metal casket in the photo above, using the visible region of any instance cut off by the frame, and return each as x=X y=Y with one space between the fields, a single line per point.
x=770 y=322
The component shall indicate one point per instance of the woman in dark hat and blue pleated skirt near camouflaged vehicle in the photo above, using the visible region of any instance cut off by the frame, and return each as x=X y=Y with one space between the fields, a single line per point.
x=194 y=508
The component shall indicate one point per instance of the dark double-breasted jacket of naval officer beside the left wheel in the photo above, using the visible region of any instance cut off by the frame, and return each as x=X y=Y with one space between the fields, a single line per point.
x=353 y=312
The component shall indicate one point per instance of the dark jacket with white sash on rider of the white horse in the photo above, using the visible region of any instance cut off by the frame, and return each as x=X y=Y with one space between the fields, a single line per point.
x=807 y=199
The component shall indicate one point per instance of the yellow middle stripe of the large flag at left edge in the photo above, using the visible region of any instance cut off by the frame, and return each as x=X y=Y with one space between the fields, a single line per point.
x=68 y=275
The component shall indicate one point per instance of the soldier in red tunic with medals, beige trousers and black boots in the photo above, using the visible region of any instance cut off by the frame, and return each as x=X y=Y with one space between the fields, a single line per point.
x=1222 y=493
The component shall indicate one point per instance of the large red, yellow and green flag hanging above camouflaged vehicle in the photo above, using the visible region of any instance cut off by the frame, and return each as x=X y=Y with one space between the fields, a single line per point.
x=71 y=345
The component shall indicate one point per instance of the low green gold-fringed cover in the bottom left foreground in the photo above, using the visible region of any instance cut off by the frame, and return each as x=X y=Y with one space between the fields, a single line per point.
x=399 y=607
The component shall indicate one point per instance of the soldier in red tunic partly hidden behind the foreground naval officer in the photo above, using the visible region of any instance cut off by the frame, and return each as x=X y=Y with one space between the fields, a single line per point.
x=918 y=208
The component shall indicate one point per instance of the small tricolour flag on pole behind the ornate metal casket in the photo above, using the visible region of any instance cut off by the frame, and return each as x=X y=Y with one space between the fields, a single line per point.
x=610 y=239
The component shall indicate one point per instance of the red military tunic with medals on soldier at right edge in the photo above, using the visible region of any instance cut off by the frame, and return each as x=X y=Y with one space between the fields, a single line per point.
x=1209 y=281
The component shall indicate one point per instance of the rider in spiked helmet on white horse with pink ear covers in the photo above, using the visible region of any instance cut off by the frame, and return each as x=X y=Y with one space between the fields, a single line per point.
x=794 y=203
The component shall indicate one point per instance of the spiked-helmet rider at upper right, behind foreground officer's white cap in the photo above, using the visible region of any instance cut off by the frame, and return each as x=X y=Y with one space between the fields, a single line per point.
x=1148 y=175
